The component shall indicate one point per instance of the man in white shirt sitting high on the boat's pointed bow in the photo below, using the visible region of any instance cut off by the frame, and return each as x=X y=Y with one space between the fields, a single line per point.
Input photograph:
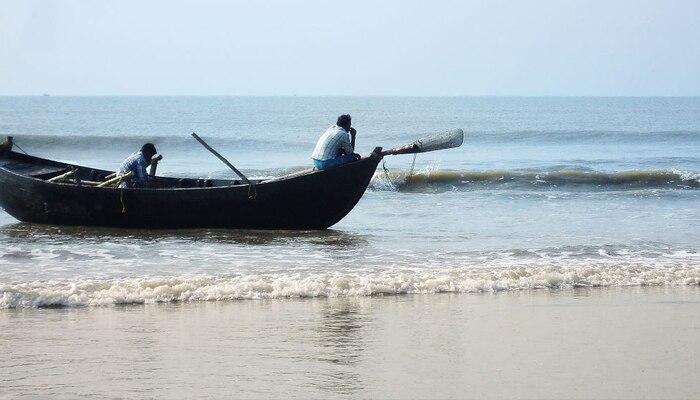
x=337 y=145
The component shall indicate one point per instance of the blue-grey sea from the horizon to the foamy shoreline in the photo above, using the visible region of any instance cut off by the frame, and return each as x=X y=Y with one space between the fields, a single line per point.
x=545 y=192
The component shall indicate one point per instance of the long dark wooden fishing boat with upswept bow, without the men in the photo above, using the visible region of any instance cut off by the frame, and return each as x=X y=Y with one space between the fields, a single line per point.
x=39 y=190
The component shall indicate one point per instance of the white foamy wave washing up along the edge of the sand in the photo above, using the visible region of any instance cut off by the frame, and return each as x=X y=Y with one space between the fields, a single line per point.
x=96 y=292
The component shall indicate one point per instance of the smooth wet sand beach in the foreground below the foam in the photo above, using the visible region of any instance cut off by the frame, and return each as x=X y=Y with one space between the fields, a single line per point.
x=636 y=342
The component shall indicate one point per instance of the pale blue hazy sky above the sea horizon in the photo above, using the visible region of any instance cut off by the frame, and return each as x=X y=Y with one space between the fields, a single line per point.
x=351 y=48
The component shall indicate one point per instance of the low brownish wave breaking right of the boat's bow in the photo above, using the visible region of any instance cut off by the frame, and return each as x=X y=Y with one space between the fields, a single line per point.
x=435 y=179
